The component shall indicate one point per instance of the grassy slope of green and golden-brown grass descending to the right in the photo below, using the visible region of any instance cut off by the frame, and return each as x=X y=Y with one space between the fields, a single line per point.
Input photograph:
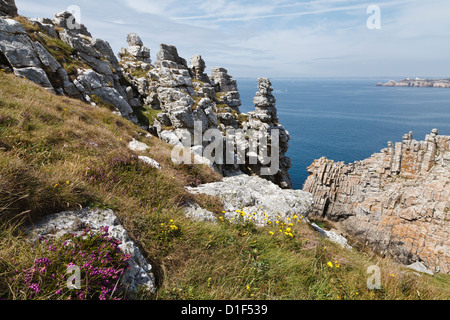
x=57 y=153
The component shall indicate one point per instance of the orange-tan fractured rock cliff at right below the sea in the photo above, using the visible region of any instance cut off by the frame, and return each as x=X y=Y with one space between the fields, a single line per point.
x=397 y=202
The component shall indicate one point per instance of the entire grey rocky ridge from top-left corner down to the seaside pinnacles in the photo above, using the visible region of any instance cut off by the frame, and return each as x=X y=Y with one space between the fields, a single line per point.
x=167 y=97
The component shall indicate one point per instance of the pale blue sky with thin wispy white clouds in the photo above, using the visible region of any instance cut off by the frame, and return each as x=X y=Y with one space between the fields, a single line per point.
x=278 y=38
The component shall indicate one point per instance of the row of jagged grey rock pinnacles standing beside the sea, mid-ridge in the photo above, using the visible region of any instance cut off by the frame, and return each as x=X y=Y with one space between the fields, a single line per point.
x=186 y=96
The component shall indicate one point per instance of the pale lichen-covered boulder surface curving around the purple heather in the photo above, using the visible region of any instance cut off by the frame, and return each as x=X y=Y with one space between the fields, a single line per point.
x=139 y=274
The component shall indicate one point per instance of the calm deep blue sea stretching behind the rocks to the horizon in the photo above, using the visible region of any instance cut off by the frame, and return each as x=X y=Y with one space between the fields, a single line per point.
x=349 y=119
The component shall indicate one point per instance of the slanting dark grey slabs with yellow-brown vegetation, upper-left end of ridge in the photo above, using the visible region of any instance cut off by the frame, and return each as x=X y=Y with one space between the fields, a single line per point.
x=63 y=57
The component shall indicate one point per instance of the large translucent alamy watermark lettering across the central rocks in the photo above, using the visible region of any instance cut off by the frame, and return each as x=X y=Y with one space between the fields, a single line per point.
x=234 y=147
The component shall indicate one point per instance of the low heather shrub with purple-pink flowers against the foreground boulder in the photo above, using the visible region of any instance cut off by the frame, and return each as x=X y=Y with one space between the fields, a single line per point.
x=98 y=256
